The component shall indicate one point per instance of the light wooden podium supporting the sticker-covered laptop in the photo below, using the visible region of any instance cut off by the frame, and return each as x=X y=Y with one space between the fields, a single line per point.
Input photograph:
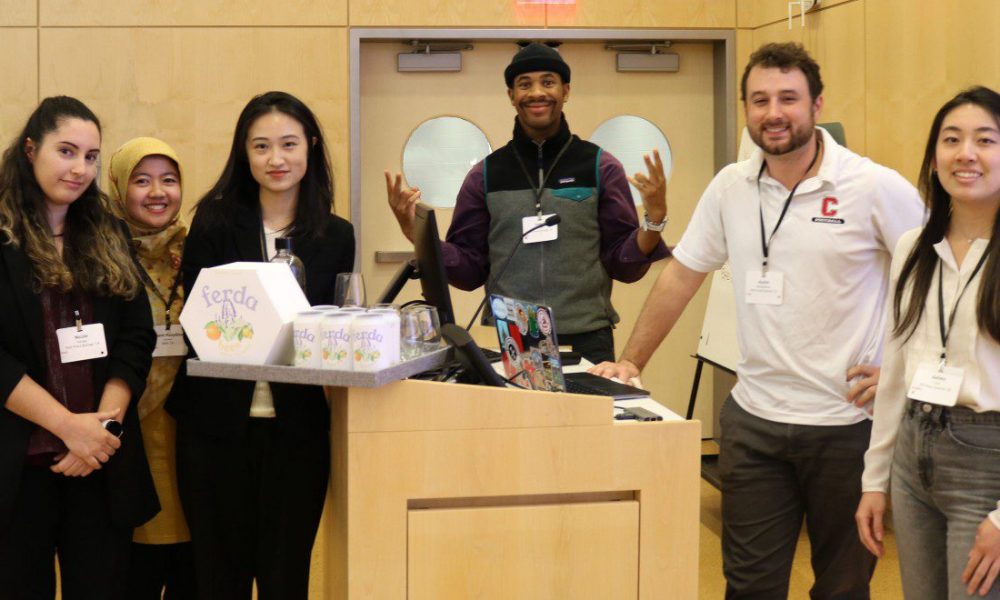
x=533 y=488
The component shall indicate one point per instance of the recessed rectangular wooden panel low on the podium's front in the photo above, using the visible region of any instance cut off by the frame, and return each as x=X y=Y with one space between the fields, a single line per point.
x=576 y=550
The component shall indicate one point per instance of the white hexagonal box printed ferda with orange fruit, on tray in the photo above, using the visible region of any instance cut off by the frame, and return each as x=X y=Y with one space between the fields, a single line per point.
x=242 y=312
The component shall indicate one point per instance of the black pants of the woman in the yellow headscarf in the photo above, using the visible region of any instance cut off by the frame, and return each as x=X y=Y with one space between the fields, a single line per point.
x=161 y=570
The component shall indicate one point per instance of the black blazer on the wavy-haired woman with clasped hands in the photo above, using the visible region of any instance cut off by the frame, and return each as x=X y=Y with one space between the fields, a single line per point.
x=130 y=338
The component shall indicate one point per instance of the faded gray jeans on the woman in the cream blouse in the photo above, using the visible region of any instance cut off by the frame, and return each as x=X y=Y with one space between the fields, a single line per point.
x=945 y=480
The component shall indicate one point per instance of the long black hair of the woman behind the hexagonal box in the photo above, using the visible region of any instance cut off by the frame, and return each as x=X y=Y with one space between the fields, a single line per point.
x=236 y=188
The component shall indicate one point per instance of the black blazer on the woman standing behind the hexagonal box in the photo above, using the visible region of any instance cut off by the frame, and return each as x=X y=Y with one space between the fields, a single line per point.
x=221 y=407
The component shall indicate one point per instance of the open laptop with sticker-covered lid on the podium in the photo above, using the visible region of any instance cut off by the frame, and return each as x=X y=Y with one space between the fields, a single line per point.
x=530 y=353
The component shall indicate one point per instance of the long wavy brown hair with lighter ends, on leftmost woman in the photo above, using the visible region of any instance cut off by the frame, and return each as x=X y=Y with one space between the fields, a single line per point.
x=96 y=256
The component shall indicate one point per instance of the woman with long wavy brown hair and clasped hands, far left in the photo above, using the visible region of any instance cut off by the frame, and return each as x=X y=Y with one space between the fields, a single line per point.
x=73 y=474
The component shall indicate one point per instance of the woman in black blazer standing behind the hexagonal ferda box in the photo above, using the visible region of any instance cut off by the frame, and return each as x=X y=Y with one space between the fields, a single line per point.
x=254 y=458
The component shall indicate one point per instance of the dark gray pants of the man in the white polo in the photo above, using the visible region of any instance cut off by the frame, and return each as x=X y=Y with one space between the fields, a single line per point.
x=772 y=475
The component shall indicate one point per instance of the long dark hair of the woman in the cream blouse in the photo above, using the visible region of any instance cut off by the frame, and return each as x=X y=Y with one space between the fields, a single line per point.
x=922 y=261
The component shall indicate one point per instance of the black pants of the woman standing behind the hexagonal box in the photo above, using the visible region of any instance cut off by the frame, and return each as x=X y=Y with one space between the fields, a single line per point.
x=253 y=506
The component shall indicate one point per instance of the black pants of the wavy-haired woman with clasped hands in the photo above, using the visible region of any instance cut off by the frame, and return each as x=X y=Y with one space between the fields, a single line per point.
x=69 y=516
